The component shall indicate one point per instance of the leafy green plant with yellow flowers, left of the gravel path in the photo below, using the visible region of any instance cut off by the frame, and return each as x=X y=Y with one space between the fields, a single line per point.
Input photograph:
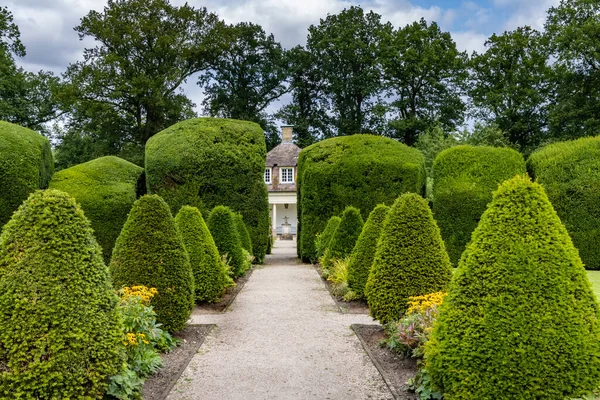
x=143 y=341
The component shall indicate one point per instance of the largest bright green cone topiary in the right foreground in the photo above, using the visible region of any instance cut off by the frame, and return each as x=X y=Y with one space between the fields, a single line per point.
x=520 y=319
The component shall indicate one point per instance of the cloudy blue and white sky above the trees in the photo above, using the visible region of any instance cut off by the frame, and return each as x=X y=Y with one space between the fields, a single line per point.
x=47 y=25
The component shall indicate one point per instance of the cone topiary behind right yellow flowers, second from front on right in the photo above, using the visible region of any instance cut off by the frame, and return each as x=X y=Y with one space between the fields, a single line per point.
x=410 y=260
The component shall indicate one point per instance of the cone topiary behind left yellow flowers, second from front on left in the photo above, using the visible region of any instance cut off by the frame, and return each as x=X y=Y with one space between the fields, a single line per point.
x=149 y=251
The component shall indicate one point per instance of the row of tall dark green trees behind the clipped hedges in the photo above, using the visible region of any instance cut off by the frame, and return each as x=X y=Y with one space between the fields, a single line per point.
x=356 y=73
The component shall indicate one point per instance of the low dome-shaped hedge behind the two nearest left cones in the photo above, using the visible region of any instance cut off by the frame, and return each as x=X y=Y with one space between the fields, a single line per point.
x=106 y=189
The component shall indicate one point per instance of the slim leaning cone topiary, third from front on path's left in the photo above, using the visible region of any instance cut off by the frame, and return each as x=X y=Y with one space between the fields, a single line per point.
x=211 y=277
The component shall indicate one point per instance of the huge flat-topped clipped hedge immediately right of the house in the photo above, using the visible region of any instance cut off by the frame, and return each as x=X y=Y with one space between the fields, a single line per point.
x=358 y=170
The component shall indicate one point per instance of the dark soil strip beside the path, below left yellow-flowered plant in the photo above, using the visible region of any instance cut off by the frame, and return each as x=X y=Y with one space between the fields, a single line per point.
x=158 y=386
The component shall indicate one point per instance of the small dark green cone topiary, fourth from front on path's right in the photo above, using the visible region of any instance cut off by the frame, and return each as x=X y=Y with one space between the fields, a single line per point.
x=345 y=236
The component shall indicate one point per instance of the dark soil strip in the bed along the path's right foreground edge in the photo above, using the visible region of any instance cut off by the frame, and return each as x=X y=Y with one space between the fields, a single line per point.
x=395 y=369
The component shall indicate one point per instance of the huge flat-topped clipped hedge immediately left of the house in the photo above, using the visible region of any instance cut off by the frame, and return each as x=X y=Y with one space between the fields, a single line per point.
x=206 y=162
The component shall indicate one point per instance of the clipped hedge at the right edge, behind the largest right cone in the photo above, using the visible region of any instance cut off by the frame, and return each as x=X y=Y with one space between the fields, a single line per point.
x=570 y=174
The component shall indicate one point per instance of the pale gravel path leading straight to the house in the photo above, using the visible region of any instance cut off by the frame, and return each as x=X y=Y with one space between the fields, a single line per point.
x=282 y=338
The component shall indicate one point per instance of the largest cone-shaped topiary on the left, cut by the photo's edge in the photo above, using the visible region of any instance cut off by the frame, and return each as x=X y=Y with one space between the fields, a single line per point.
x=60 y=333
